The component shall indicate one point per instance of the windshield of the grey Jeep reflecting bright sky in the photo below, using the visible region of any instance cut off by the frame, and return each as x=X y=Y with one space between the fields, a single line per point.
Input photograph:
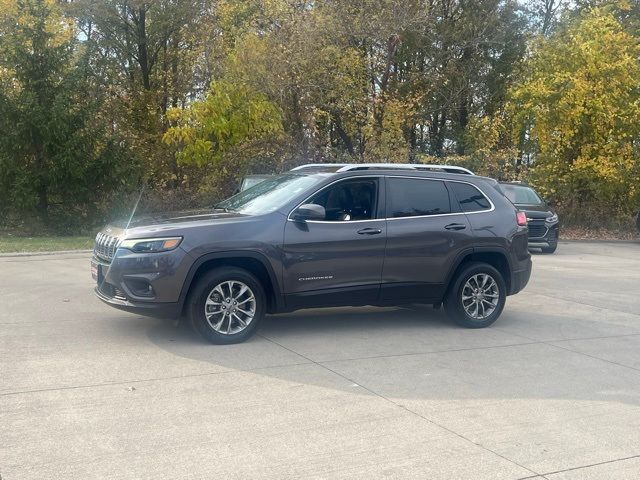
x=268 y=195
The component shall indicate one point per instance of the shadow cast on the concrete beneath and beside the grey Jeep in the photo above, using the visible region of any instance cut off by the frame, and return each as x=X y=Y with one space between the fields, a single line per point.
x=413 y=352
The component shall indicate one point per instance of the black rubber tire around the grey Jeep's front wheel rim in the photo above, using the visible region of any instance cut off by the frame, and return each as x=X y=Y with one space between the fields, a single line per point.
x=205 y=286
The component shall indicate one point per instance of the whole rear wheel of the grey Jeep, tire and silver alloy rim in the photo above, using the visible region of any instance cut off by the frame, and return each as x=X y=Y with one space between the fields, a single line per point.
x=477 y=296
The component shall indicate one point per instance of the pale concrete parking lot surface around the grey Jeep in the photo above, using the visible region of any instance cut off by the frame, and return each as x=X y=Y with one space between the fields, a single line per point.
x=552 y=390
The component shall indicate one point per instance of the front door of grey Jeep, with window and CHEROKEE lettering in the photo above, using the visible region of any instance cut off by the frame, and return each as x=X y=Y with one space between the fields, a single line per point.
x=338 y=260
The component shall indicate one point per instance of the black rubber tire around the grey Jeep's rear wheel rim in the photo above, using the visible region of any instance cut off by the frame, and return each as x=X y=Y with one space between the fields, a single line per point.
x=453 y=300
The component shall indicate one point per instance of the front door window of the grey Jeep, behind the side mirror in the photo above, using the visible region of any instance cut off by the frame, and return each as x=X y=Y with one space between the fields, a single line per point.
x=348 y=200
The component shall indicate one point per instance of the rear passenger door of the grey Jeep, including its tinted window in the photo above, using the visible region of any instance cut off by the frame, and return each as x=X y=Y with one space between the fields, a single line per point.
x=426 y=232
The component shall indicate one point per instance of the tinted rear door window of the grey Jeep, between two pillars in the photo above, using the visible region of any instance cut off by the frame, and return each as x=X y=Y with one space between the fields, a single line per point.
x=411 y=197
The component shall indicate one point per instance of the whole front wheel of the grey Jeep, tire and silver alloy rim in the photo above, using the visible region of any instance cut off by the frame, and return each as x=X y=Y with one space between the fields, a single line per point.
x=227 y=305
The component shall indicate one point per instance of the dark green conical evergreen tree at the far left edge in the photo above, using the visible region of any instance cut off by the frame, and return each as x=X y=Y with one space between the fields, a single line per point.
x=52 y=149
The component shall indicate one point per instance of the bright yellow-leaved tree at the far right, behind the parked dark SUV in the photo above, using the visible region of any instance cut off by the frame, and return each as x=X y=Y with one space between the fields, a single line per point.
x=579 y=103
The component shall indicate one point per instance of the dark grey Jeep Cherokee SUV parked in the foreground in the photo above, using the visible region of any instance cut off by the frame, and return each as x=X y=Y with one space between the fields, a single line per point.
x=318 y=236
